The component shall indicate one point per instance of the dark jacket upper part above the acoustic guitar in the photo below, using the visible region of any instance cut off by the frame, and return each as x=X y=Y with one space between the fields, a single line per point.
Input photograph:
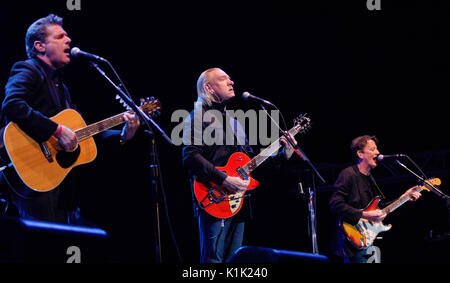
x=30 y=98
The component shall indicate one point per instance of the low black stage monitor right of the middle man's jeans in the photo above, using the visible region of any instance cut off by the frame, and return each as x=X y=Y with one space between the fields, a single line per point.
x=252 y=254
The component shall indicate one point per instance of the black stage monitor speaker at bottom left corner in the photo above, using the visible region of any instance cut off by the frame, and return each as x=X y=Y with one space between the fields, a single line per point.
x=31 y=241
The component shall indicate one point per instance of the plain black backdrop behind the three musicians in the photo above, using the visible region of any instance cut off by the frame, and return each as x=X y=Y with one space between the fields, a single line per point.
x=354 y=71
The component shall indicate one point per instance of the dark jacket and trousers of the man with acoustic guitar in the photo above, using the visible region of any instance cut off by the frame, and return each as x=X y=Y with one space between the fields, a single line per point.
x=34 y=93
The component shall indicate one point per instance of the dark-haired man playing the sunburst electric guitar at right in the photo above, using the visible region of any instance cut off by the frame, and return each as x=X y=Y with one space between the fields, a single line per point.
x=355 y=189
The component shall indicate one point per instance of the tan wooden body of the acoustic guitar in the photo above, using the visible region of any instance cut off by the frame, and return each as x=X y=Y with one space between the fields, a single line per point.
x=34 y=172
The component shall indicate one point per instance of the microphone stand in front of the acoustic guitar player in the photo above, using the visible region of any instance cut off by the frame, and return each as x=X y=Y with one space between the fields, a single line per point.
x=154 y=167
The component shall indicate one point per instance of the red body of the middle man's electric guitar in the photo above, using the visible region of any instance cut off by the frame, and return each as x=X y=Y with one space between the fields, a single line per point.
x=214 y=200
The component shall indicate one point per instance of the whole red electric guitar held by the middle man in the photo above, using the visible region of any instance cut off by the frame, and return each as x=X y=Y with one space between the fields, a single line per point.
x=215 y=200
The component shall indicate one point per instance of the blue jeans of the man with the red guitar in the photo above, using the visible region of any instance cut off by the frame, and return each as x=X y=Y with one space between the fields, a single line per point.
x=219 y=238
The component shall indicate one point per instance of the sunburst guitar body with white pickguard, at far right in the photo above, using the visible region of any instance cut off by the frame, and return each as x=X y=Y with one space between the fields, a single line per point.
x=364 y=233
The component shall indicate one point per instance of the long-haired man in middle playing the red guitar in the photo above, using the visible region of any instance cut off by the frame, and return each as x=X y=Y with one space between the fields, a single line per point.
x=219 y=238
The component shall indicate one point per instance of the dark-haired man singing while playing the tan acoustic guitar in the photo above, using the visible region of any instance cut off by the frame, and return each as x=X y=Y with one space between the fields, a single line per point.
x=34 y=92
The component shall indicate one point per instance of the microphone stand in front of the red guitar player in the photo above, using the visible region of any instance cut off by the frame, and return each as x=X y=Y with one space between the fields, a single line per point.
x=312 y=194
